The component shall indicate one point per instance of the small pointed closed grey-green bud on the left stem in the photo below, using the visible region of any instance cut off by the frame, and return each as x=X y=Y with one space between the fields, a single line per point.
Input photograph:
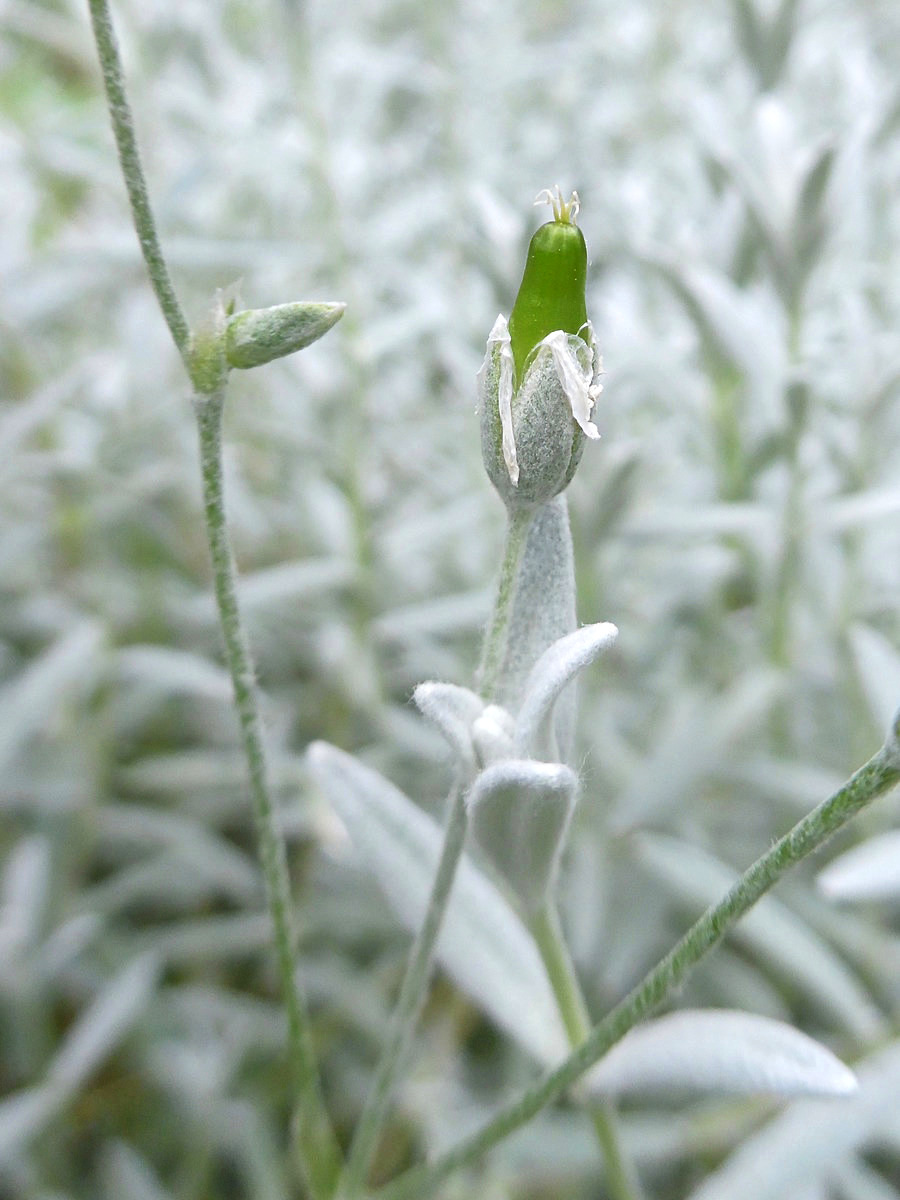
x=260 y=335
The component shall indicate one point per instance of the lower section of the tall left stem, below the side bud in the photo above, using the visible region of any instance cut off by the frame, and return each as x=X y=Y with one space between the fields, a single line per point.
x=319 y=1147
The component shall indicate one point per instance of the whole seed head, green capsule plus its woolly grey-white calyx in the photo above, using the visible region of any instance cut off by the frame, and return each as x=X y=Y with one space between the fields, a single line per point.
x=539 y=382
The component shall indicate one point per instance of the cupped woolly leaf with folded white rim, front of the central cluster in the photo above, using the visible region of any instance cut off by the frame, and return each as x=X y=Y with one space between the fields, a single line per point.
x=520 y=812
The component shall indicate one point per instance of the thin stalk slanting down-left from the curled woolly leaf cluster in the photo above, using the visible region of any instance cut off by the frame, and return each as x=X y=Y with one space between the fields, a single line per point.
x=410 y=1003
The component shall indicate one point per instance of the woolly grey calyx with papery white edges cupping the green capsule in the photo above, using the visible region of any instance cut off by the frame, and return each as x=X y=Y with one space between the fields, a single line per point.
x=533 y=431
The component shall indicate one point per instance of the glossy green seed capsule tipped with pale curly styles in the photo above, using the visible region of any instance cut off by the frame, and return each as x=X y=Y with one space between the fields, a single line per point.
x=553 y=292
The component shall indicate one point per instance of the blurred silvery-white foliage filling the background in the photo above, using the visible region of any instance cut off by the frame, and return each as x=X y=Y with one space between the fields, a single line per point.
x=740 y=167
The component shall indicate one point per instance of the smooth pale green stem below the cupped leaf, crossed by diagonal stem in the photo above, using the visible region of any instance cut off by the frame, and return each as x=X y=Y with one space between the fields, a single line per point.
x=621 y=1174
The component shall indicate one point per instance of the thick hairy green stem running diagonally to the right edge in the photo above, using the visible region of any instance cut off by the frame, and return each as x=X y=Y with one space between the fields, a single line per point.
x=881 y=773
